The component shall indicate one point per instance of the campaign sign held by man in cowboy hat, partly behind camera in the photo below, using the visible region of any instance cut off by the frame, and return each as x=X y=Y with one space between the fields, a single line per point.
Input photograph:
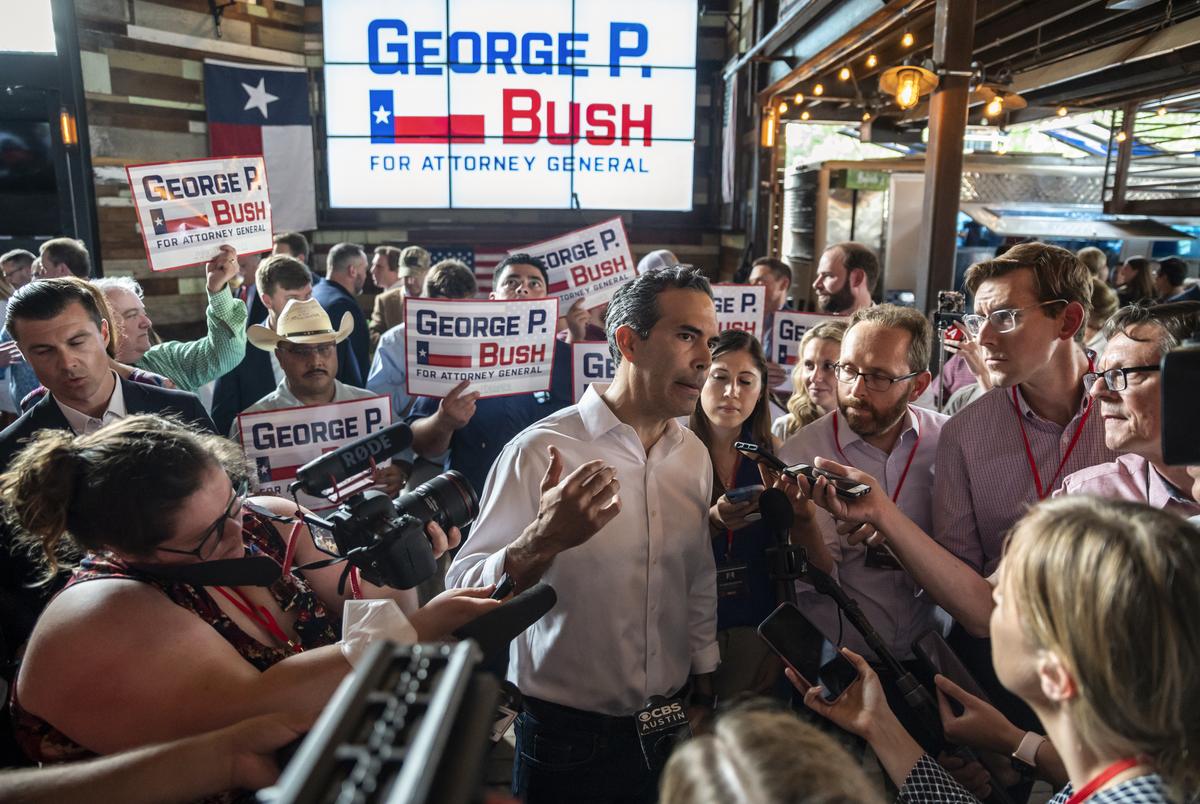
x=280 y=442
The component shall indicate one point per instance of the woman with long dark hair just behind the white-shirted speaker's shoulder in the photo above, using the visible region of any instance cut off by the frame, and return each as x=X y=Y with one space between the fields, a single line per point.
x=735 y=407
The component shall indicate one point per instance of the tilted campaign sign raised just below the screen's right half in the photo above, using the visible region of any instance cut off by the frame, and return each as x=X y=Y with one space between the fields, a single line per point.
x=587 y=265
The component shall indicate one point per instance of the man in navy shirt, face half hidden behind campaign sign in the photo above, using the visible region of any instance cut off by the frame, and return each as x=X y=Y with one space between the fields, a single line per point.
x=467 y=434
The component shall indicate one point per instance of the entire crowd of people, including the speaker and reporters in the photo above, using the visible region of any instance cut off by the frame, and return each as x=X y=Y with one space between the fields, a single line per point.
x=1018 y=507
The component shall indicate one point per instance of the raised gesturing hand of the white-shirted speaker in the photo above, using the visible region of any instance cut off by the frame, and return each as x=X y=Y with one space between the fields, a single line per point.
x=574 y=509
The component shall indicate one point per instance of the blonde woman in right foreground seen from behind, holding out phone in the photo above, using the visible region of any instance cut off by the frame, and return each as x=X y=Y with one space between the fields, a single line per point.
x=1095 y=629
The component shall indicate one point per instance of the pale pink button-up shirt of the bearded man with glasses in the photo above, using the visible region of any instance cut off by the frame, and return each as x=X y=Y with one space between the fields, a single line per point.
x=890 y=598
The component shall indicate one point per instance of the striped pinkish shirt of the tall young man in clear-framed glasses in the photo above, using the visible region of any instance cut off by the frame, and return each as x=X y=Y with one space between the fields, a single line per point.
x=983 y=482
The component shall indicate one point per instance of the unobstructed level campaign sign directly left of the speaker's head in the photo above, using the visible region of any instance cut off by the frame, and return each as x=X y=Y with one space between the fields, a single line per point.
x=502 y=347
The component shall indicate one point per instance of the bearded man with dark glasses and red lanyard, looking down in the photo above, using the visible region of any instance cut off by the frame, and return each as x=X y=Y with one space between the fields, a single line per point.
x=883 y=370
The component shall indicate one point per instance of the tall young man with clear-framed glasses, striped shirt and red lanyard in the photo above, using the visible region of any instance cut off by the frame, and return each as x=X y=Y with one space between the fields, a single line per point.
x=1012 y=447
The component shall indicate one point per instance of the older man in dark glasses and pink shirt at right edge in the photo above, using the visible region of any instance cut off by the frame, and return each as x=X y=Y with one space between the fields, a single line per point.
x=1127 y=388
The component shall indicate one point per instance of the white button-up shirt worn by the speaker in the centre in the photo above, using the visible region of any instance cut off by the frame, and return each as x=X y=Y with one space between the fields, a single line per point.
x=637 y=603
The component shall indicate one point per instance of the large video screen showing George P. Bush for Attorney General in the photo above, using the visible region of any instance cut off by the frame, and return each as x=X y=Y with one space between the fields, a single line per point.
x=532 y=105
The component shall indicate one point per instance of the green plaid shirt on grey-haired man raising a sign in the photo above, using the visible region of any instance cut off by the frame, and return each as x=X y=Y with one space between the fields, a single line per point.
x=191 y=364
